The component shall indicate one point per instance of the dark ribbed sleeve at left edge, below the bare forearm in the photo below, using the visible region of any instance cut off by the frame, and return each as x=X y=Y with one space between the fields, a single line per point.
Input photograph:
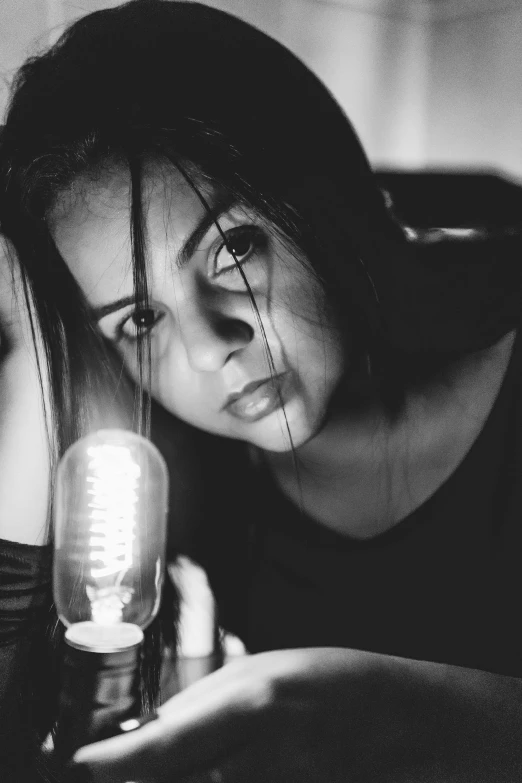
x=25 y=576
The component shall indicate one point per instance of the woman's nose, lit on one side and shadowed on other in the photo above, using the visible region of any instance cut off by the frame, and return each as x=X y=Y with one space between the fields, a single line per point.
x=210 y=339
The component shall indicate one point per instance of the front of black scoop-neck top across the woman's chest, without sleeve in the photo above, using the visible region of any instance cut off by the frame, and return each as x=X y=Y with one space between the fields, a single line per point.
x=445 y=584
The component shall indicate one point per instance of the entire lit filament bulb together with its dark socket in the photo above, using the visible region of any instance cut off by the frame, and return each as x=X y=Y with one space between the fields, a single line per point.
x=110 y=536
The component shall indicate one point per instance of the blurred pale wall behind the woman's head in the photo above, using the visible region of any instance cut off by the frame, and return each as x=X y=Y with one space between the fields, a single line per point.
x=426 y=82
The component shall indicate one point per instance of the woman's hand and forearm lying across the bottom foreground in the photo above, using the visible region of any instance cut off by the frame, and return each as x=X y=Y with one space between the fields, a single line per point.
x=325 y=716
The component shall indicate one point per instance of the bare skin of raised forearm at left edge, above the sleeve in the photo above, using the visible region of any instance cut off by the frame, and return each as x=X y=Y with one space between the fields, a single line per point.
x=24 y=444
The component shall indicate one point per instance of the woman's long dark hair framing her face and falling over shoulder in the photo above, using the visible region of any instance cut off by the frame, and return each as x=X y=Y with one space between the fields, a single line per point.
x=228 y=106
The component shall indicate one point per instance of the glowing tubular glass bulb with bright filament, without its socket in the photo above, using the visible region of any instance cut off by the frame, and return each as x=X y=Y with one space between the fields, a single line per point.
x=110 y=535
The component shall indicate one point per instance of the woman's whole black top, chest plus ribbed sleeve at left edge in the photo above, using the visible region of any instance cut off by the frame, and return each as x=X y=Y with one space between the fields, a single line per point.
x=445 y=584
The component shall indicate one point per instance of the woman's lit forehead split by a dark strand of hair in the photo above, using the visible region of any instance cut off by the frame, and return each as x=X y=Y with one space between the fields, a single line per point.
x=92 y=229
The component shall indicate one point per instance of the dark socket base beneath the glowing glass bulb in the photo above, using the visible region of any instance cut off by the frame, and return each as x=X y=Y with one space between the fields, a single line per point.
x=100 y=689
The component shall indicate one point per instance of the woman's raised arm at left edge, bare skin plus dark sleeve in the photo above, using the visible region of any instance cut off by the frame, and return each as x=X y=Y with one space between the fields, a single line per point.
x=25 y=680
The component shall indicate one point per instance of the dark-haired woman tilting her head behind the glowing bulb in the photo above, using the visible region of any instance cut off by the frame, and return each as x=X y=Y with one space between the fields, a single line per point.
x=359 y=394
